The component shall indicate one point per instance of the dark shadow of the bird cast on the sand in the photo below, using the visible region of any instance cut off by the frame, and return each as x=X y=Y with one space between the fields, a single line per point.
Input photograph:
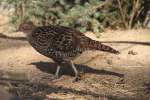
x=66 y=69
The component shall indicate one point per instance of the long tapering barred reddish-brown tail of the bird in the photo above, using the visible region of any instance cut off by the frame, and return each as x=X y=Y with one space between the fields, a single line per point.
x=96 y=45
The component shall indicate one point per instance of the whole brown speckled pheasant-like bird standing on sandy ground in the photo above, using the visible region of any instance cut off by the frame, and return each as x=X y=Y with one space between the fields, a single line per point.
x=60 y=43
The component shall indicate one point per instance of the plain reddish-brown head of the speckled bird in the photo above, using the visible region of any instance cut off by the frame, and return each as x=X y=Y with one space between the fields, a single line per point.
x=26 y=27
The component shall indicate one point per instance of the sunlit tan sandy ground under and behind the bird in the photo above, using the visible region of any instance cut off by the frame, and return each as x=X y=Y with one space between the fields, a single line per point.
x=104 y=76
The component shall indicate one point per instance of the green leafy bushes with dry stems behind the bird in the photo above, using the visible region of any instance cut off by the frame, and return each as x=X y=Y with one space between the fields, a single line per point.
x=85 y=15
